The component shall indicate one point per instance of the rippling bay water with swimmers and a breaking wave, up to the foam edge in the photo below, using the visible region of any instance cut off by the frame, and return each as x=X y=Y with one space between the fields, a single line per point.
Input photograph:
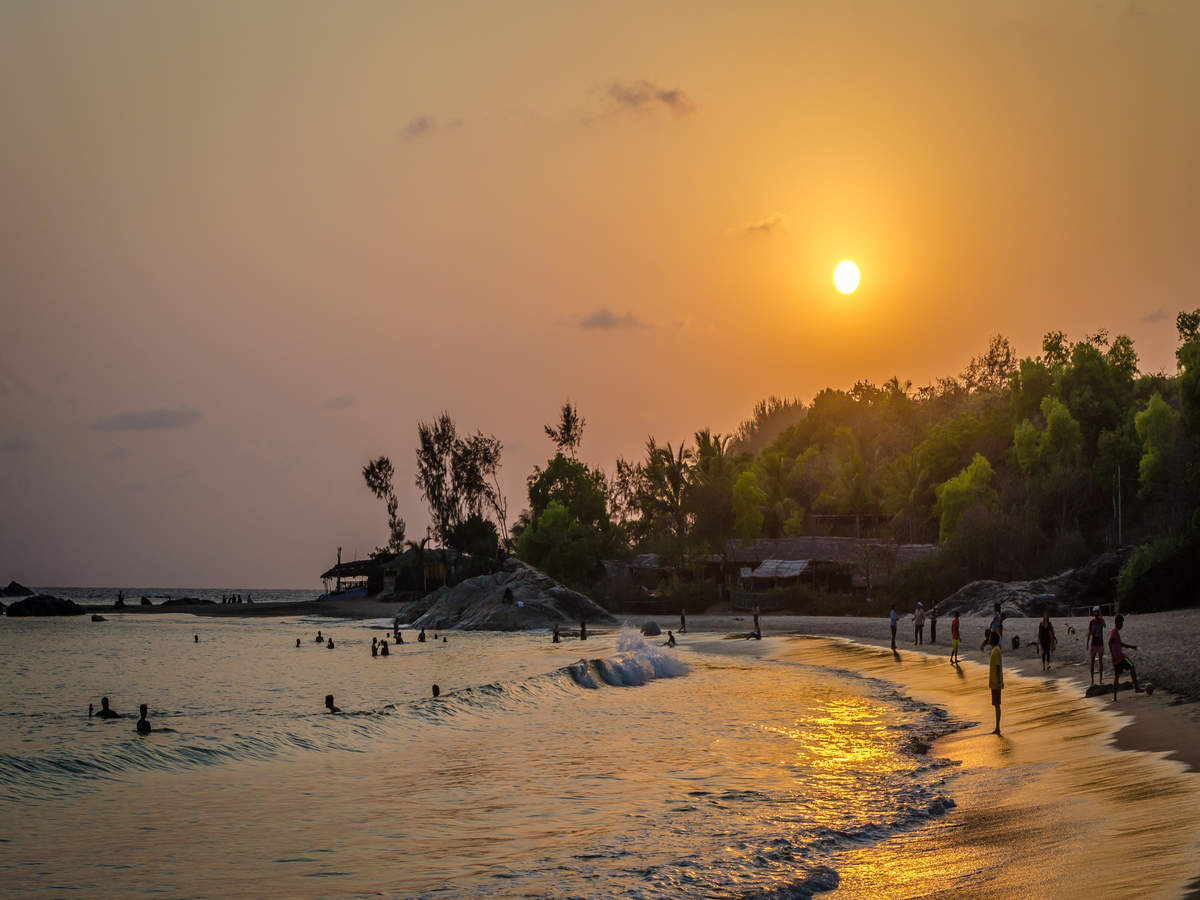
x=580 y=770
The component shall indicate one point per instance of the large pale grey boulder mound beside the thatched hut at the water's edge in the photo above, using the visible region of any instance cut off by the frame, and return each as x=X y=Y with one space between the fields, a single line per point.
x=515 y=599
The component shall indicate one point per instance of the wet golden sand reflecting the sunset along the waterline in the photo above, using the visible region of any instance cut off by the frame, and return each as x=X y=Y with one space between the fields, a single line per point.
x=1054 y=807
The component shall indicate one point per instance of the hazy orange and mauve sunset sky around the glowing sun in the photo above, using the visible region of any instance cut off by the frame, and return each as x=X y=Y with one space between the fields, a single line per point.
x=247 y=247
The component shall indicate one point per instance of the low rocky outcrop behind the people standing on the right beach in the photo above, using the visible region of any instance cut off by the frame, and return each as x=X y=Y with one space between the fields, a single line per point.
x=1091 y=585
